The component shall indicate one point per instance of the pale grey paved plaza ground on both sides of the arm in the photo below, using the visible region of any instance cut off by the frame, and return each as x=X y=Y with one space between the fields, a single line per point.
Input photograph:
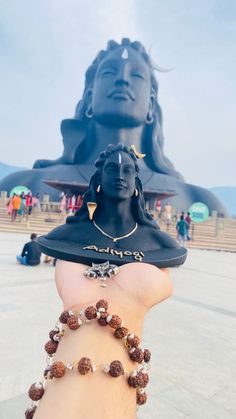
x=192 y=336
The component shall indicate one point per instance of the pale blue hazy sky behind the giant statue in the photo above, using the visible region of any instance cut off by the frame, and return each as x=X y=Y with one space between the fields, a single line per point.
x=46 y=47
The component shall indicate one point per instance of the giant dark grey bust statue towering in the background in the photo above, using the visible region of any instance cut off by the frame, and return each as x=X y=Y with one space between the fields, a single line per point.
x=119 y=104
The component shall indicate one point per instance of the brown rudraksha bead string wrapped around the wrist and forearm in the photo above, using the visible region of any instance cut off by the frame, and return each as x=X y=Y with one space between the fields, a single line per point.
x=137 y=379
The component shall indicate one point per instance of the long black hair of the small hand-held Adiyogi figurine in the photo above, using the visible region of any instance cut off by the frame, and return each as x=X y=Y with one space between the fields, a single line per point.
x=140 y=214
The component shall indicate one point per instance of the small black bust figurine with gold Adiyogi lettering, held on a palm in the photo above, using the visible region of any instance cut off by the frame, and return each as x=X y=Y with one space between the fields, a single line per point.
x=113 y=224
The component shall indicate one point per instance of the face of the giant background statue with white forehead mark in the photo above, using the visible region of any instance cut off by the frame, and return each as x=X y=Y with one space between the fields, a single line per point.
x=121 y=94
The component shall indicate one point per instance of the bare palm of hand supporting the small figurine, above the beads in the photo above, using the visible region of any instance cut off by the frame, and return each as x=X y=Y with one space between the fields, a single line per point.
x=138 y=286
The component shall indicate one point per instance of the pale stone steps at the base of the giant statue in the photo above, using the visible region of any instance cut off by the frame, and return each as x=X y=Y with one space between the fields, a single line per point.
x=214 y=234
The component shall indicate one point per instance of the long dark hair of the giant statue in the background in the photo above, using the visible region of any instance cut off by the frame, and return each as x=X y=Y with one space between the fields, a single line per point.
x=153 y=139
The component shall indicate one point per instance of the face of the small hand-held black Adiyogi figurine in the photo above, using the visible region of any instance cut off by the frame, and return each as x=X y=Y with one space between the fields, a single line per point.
x=118 y=176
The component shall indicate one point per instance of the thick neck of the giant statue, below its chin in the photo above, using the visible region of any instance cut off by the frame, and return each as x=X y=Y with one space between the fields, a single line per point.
x=103 y=136
